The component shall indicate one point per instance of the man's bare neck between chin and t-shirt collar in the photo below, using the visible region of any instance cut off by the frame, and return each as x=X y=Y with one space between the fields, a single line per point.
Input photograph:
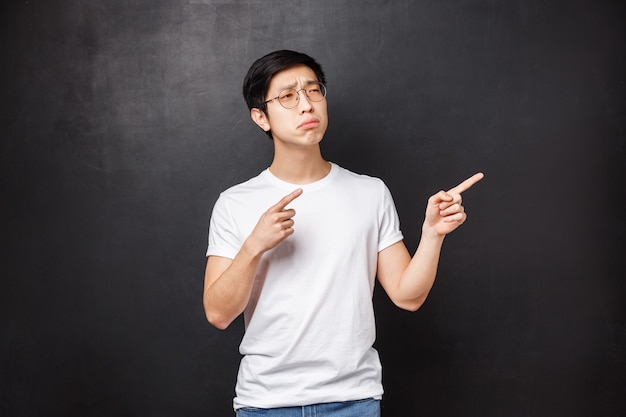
x=302 y=167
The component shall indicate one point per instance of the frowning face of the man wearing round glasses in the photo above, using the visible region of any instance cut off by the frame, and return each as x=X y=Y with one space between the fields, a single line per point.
x=302 y=125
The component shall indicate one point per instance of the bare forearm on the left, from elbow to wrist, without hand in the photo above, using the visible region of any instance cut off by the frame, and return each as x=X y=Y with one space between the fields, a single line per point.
x=226 y=296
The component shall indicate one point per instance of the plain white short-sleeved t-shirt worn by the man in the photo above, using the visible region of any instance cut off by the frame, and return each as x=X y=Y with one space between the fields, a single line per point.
x=310 y=320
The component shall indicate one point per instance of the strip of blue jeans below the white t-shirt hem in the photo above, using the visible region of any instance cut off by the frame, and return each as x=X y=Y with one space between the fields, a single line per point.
x=359 y=408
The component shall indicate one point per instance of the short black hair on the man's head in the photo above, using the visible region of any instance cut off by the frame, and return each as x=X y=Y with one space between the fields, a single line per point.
x=259 y=76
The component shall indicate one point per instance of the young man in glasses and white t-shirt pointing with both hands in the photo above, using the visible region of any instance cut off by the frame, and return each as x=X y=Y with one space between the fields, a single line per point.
x=297 y=249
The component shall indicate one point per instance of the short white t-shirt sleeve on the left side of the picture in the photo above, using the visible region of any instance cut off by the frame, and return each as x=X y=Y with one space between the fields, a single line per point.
x=223 y=237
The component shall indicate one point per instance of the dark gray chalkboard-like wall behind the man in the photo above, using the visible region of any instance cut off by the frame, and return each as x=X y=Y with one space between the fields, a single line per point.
x=122 y=120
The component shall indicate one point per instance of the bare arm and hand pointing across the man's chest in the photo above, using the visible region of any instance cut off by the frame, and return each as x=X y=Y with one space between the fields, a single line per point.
x=228 y=282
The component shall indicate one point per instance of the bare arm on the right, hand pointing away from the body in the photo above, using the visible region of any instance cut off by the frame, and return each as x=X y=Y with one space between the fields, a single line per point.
x=407 y=281
